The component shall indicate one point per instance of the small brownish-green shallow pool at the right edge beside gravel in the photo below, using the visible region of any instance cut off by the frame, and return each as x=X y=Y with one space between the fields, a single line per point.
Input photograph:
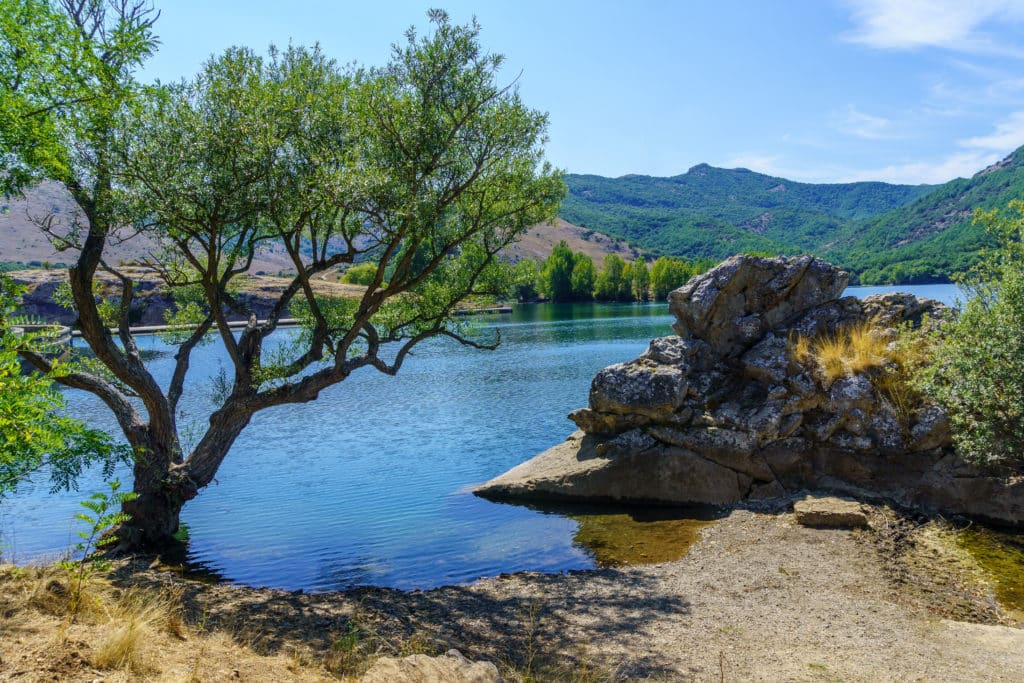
x=1001 y=556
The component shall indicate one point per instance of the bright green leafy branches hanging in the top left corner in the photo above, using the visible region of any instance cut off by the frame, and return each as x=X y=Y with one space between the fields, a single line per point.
x=62 y=89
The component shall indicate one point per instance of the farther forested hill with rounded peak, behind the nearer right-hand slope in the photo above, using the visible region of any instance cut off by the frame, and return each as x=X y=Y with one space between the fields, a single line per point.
x=715 y=212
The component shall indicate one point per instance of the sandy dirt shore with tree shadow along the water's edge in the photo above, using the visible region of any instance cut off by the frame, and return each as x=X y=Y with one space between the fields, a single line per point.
x=760 y=599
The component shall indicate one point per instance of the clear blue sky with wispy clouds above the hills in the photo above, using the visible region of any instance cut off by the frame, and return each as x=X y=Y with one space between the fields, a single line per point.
x=817 y=91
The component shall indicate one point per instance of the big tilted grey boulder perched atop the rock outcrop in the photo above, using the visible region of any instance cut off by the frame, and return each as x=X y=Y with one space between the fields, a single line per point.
x=733 y=307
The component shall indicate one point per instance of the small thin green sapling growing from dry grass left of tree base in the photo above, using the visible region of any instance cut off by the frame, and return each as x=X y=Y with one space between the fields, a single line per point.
x=101 y=518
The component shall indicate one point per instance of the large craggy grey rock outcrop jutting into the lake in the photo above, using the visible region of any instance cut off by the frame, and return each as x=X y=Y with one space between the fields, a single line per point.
x=730 y=410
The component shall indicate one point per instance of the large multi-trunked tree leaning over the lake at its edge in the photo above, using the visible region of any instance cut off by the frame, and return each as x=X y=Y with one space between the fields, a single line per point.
x=428 y=166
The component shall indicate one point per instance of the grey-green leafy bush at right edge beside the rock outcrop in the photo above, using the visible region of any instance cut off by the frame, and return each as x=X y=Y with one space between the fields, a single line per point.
x=978 y=368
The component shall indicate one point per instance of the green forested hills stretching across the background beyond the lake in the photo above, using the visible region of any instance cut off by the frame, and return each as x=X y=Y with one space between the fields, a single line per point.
x=882 y=233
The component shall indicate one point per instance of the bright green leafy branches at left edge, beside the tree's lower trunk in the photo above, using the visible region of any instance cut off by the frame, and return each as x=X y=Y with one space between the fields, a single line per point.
x=35 y=434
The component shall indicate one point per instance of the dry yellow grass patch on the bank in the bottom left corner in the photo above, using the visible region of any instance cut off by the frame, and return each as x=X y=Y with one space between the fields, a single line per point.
x=126 y=633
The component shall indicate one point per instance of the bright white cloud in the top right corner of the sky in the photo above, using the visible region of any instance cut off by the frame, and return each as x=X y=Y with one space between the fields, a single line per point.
x=955 y=25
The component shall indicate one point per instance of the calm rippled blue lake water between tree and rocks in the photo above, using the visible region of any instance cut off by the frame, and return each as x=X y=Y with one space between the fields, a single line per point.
x=370 y=484
